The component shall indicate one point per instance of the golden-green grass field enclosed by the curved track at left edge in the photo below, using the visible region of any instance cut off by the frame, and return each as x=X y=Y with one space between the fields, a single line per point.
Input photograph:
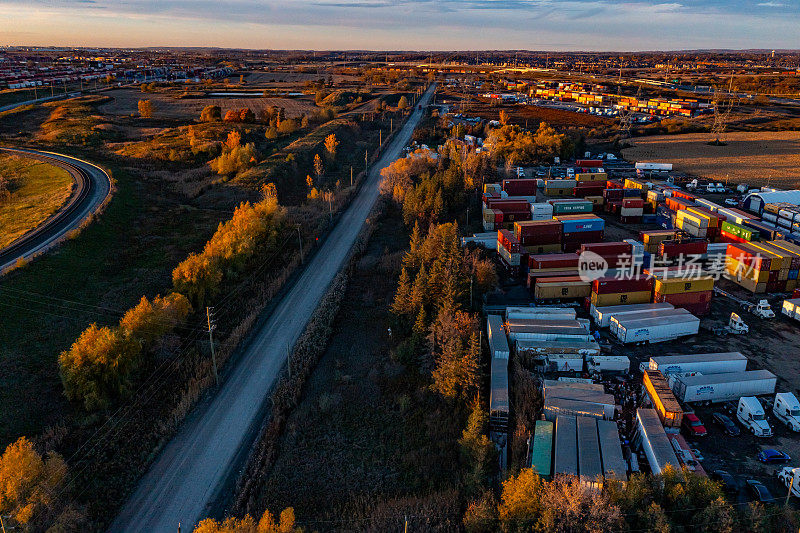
x=36 y=191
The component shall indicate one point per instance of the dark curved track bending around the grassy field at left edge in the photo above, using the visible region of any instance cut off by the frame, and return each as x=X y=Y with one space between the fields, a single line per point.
x=92 y=187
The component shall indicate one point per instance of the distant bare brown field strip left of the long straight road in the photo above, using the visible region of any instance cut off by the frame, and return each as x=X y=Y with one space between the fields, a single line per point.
x=125 y=102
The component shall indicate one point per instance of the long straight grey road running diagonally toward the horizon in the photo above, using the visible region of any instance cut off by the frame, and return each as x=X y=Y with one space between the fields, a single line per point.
x=190 y=473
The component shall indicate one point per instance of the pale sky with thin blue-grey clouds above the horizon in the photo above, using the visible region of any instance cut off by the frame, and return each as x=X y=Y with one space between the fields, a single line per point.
x=600 y=25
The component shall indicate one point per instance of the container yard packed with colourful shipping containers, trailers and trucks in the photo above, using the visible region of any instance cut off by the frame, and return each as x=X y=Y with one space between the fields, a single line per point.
x=674 y=267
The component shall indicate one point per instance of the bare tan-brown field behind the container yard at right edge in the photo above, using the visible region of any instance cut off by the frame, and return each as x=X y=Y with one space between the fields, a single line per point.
x=756 y=158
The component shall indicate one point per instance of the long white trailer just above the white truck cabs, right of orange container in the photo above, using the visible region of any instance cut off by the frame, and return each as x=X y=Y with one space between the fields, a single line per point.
x=713 y=388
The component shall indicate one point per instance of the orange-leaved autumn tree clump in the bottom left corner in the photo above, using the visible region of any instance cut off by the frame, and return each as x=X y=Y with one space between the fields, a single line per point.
x=28 y=482
